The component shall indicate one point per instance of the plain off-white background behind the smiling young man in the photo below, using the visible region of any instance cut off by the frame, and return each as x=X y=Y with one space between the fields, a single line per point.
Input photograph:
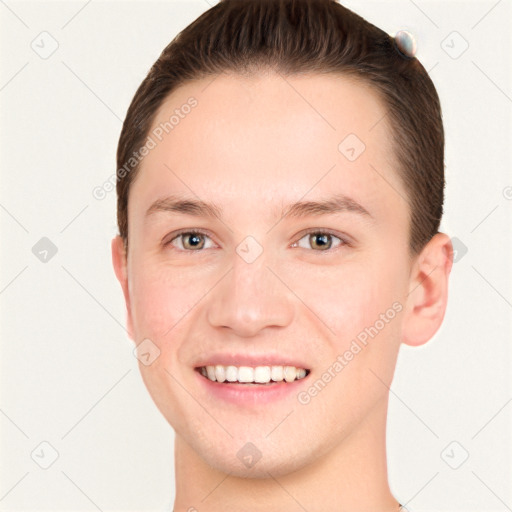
x=68 y=375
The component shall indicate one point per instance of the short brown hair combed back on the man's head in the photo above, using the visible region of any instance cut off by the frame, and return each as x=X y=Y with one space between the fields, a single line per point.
x=301 y=36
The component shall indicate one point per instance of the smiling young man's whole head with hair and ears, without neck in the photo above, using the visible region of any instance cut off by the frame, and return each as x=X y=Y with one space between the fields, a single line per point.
x=280 y=192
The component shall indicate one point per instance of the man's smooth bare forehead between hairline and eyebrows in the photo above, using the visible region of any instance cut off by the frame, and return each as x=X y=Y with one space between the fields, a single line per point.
x=270 y=138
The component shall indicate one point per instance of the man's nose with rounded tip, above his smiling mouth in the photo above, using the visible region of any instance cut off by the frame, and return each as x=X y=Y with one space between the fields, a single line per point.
x=250 y=298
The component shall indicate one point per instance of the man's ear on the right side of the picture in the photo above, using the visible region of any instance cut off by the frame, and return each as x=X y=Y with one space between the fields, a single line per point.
x=428 y=291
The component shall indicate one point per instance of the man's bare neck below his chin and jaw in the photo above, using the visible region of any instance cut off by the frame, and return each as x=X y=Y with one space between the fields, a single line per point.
x=352 y=477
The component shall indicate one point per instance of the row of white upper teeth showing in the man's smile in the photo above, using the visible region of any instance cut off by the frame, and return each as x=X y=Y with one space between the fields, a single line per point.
x=259 y=374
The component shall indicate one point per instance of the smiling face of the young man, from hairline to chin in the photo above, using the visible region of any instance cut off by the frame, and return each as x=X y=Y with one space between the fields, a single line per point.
x=252 y=281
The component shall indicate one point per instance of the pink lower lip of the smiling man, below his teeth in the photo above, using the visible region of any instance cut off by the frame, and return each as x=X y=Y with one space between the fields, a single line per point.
x=249 y=394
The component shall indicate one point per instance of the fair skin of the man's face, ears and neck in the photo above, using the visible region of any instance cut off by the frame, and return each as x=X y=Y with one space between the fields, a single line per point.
x=252 y=145
